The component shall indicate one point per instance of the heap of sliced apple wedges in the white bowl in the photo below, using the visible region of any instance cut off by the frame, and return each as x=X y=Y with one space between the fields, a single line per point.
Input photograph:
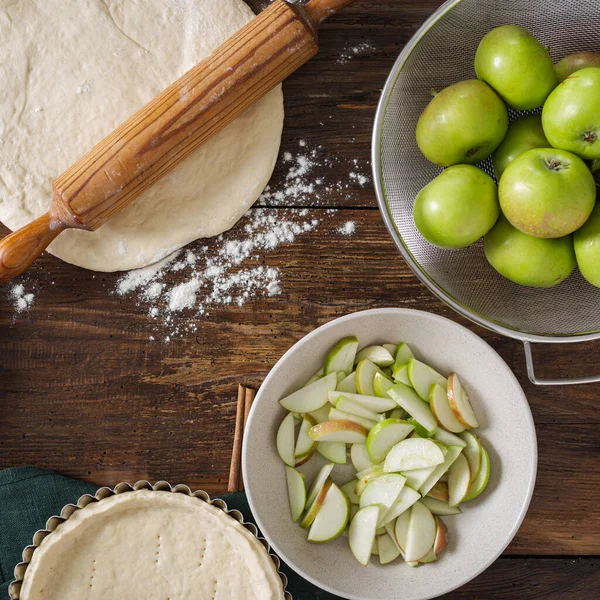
x=405 y=427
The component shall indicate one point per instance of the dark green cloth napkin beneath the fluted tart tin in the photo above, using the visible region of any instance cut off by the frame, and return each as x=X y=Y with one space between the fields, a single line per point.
x=29 y=496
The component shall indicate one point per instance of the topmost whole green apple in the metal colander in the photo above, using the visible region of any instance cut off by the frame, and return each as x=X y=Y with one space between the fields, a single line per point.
x=516 y=65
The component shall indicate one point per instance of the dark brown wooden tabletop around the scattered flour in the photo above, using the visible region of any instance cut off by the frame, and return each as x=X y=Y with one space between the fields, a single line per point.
x=84 y=392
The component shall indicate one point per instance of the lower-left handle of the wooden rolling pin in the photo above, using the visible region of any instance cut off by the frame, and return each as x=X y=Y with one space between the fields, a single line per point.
x=21 y=248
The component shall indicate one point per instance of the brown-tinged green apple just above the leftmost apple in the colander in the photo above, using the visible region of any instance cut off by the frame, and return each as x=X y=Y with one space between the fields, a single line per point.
x=464 y=123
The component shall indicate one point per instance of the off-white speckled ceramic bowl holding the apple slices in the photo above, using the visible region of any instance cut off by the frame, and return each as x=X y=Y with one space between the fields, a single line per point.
x=487 y=525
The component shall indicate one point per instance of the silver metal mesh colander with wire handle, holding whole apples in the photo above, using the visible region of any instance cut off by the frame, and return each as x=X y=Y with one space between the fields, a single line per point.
x=440 y=54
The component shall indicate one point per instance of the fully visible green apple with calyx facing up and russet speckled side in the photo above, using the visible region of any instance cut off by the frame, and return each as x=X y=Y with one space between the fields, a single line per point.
x=547 y=193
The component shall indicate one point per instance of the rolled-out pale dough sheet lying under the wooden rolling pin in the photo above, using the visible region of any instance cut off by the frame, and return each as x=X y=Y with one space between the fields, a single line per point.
x=73 y=70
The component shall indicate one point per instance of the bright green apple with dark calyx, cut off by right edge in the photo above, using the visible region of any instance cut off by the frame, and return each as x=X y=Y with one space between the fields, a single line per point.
x=571 y=115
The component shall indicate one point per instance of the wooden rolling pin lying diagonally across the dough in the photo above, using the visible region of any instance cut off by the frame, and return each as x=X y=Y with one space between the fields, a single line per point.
x=160 y=135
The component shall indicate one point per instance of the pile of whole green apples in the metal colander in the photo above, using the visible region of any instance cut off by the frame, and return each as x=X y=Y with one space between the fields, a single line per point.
x=540 y=220
